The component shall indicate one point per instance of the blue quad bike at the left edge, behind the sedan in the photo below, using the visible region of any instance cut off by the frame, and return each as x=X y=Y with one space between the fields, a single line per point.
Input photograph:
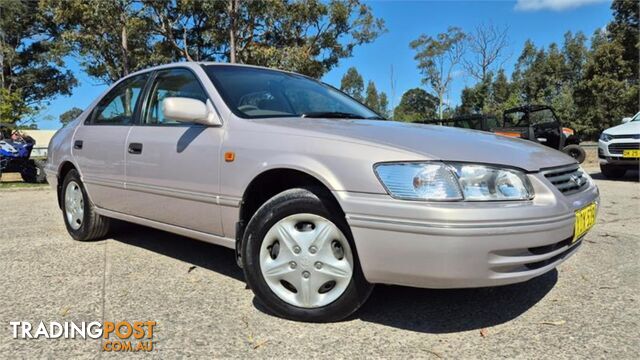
x=15 y=152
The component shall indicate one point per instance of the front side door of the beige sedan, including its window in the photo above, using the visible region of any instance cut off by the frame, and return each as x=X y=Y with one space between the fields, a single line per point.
x=171 y=167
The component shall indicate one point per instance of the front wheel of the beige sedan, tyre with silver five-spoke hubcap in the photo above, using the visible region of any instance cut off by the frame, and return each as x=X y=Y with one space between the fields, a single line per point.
x=300 y=259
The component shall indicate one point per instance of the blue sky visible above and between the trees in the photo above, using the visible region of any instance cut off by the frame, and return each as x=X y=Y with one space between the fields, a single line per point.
x=542 y=21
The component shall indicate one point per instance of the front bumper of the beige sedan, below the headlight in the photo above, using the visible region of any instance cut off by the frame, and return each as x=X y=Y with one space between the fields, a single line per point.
x=463 y=244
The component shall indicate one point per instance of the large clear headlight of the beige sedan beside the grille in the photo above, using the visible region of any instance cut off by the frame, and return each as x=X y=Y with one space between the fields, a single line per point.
x=438 y=181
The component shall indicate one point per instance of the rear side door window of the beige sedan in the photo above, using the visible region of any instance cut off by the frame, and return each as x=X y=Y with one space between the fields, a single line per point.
x=119 y=105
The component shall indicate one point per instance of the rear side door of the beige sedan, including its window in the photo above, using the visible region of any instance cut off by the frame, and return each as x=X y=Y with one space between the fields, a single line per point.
x=99 y=143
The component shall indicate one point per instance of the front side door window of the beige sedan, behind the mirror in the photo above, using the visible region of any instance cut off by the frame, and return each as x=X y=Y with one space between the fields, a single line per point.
x=171 y=83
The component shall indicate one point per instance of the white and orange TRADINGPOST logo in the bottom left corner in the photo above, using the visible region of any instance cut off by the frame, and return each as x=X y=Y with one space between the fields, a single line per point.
x=122 y=336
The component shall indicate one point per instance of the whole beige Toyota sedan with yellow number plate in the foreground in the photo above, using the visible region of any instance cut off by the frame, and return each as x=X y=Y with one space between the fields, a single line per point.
x=320 y=197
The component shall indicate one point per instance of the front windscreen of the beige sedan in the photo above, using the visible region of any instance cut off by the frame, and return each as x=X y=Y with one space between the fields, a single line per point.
x=262 y=93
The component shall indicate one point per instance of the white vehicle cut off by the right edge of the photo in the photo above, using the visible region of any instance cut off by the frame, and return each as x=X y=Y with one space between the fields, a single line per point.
x=619 y=148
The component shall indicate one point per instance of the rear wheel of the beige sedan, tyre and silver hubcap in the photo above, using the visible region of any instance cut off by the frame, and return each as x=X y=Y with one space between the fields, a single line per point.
x=80 y=217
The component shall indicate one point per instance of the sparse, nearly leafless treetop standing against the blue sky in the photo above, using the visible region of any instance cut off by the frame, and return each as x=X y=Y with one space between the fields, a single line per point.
x=486 y=44
